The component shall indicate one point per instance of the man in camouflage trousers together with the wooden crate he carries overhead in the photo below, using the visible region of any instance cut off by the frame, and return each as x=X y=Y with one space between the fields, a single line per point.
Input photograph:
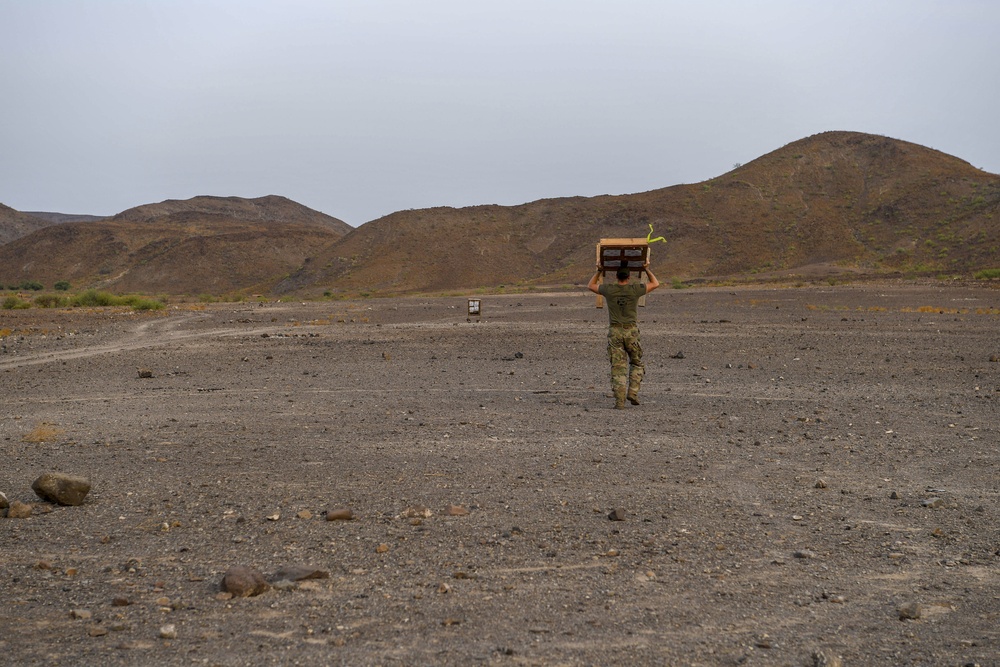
x=624 y=348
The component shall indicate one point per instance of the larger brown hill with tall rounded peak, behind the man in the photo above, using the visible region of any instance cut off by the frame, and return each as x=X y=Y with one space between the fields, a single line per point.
x=837 y=202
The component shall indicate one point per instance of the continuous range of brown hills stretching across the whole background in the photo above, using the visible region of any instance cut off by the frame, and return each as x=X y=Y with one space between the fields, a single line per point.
x=836 y=203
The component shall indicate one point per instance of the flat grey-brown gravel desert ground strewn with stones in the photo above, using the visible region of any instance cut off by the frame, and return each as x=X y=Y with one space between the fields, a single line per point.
x=811 y=479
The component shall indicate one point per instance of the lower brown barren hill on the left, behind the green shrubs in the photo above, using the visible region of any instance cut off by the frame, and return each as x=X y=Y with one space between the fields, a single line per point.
x=201 y=245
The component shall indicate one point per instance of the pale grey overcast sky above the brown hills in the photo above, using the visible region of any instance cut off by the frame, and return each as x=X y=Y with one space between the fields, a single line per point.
x=364 y=107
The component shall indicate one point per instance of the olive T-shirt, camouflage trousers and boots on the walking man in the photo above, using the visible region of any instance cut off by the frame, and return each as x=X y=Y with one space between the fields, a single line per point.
x=624 y=348
